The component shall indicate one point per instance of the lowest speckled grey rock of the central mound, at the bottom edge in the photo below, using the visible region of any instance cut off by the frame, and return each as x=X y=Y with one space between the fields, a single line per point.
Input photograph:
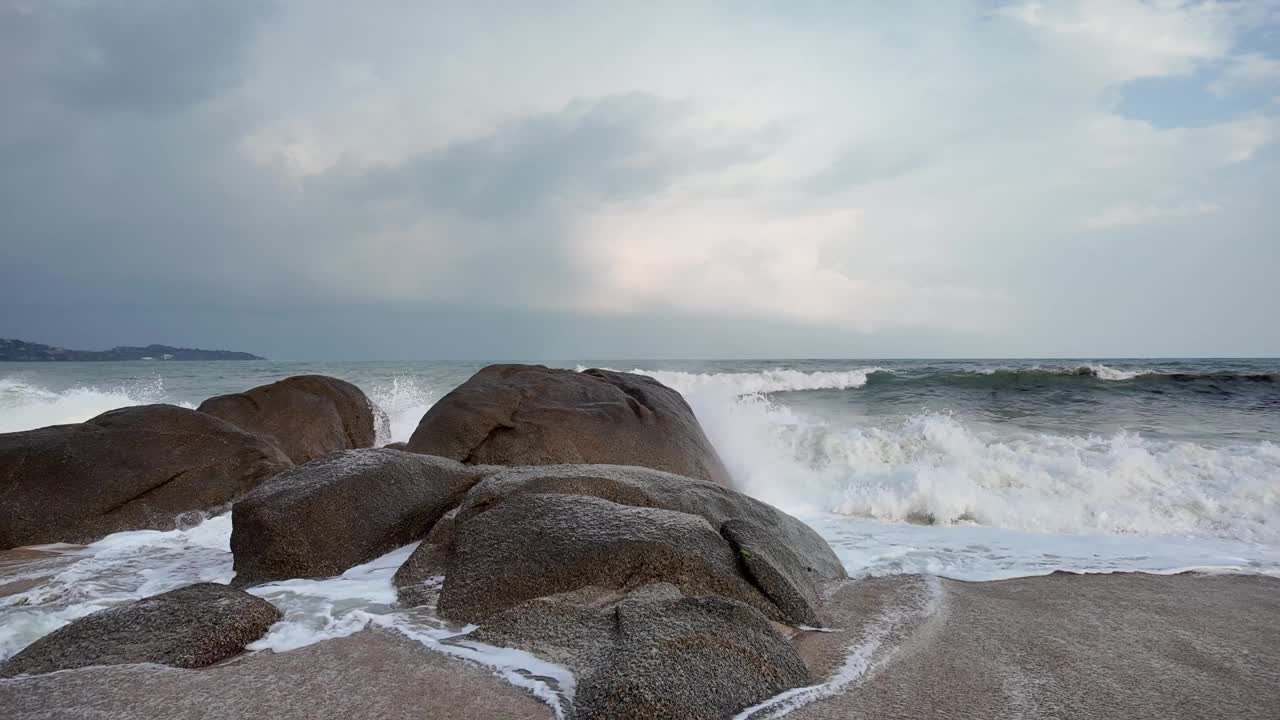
x=656 y=654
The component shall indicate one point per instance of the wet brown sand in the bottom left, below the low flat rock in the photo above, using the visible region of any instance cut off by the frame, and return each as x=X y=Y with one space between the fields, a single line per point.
x=377 y=675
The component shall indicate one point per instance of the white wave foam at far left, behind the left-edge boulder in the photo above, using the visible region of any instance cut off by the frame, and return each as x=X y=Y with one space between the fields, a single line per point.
x=25 y=407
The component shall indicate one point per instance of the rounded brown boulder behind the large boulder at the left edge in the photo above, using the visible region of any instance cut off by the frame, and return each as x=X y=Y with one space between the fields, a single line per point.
x=305 y=416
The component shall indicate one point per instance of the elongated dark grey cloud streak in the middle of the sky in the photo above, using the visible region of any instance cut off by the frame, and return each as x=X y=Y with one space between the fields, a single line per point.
x=593 y=151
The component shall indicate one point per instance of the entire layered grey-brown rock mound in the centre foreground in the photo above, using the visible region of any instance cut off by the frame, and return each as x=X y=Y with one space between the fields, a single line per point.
x=665 y=595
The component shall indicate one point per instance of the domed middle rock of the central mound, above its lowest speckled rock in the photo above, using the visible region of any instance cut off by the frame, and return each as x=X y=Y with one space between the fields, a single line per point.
x=540 y=545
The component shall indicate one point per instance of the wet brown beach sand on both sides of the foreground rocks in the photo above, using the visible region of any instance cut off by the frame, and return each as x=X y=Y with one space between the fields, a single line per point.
x=1063 y=645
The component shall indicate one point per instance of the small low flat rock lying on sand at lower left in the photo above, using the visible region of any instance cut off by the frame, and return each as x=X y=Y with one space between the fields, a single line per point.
x=191 y=627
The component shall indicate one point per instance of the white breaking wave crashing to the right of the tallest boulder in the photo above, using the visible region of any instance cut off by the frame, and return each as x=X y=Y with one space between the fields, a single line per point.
x=938 y=470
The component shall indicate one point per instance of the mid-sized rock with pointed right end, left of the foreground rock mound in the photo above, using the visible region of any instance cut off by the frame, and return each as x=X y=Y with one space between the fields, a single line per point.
x=345 y=509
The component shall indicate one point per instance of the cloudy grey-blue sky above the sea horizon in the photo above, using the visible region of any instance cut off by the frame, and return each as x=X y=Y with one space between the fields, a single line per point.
x=408 y=180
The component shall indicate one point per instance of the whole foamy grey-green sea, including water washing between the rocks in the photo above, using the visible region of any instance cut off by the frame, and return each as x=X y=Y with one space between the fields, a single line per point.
x=964 y=470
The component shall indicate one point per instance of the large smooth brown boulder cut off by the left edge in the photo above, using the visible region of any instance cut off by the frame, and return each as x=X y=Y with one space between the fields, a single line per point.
x=135 y=468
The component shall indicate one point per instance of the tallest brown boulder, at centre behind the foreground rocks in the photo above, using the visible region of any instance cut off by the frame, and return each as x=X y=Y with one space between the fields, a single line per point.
x=536 y=416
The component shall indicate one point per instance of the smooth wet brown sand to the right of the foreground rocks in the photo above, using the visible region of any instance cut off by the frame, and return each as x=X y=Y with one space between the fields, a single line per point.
x=1121 y=646
